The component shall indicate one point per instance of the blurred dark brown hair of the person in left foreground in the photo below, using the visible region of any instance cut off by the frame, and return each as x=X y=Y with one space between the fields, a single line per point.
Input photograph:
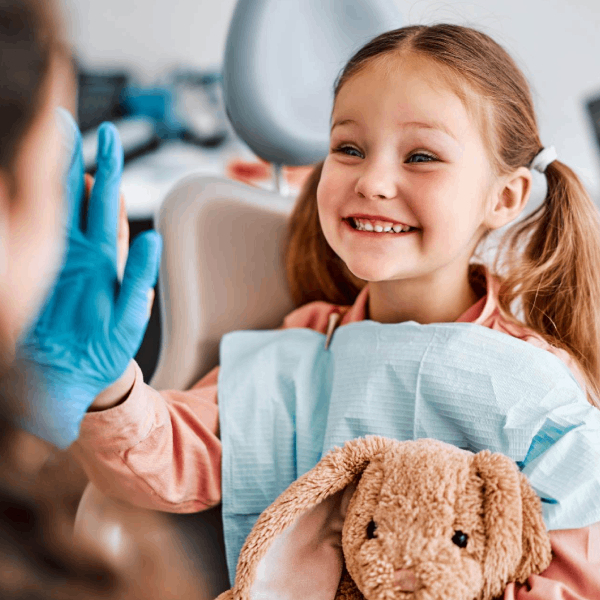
x=37 y=555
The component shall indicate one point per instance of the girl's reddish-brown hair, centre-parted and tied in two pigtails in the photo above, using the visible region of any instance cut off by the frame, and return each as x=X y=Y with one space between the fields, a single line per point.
x=548 y=263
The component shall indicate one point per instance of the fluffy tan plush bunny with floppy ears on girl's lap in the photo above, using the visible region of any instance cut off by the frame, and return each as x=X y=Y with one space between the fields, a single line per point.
x=380 y=519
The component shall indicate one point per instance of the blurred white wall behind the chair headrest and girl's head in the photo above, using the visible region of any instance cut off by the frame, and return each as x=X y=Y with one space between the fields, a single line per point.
x=556 y=42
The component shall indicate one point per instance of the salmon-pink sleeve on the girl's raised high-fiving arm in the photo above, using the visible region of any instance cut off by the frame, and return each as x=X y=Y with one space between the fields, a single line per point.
x=157 y=450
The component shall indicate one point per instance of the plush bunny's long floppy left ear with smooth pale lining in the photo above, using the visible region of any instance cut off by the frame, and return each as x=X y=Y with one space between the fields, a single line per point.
x=294 y=550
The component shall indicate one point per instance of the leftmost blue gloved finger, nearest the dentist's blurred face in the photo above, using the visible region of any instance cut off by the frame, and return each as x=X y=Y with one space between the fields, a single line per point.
x=74 y=168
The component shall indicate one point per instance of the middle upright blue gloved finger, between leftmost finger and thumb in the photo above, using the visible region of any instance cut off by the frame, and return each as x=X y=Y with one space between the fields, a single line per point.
x=103 y=211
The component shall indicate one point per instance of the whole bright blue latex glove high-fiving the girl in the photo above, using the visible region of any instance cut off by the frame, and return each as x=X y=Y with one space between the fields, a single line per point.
x=91 y=325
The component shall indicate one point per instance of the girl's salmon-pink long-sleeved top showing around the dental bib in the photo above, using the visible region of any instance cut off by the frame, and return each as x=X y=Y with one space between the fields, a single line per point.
x=161 y=450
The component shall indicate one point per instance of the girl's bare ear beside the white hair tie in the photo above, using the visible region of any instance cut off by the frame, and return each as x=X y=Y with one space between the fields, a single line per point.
x=509 y=198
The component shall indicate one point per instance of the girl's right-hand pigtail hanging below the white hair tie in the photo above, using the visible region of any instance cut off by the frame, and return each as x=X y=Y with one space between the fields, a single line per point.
x=551 y=266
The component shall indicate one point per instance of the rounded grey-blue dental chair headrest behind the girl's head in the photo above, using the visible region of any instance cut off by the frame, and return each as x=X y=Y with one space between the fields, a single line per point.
x=281 y=61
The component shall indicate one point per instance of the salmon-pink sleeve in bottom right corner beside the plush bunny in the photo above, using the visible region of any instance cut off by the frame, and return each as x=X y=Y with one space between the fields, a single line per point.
x=573 y=574
